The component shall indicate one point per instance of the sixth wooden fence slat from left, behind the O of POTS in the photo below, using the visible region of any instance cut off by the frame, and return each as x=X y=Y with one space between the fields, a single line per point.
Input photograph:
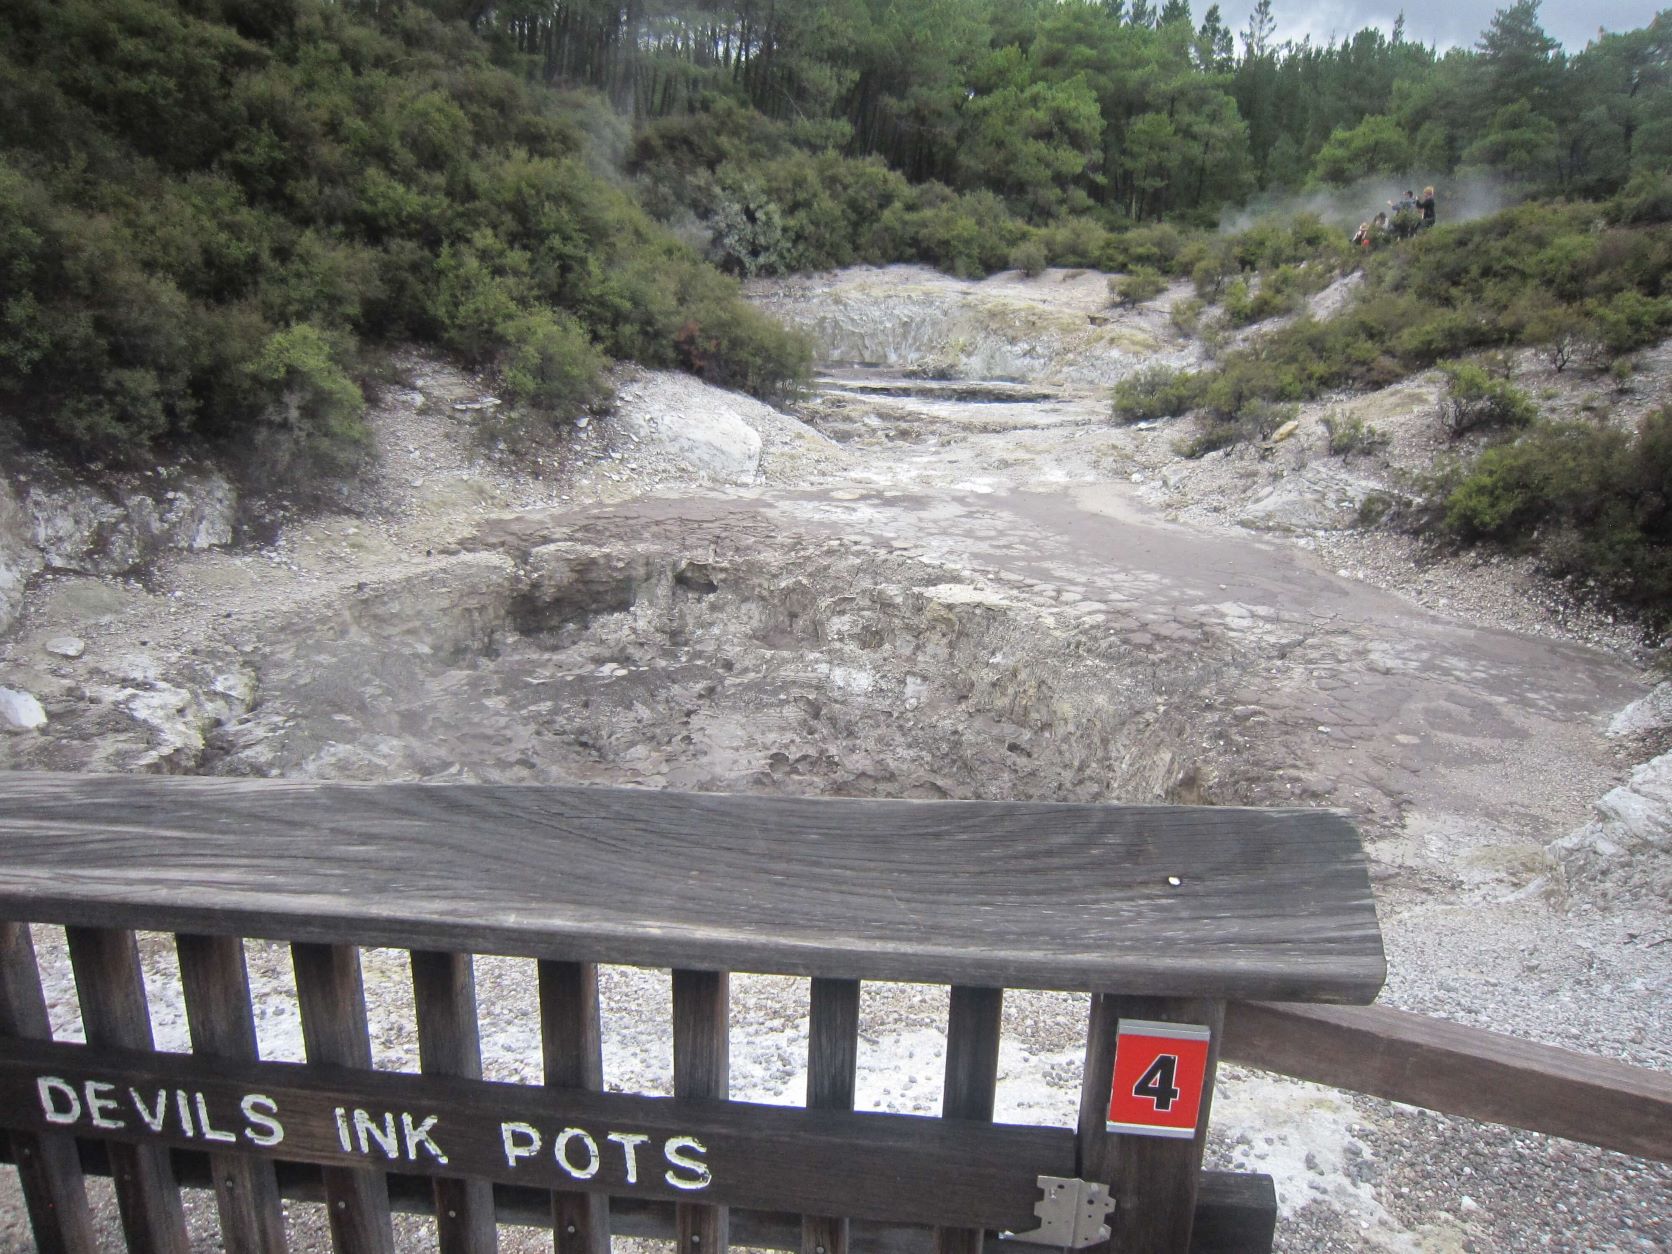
x=573 y=1042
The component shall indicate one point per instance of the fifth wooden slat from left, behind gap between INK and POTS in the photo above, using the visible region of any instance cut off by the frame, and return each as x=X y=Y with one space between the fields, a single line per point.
x=451 y=1044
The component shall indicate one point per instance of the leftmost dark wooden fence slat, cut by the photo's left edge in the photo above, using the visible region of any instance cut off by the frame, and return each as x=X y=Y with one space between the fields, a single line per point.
x=48 y=1165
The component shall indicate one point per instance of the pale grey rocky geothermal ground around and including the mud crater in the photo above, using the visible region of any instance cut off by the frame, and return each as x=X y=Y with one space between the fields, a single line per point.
x=944 y=574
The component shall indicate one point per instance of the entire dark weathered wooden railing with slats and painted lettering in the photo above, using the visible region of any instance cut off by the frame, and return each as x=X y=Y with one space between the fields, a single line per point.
x=1171 y=915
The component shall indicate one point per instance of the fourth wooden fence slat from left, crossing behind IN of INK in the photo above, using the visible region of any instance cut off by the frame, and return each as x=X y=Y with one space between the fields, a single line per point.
x=334 y=1004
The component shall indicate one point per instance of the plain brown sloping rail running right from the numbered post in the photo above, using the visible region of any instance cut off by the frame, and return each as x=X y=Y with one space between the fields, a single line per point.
x=1460 y=1071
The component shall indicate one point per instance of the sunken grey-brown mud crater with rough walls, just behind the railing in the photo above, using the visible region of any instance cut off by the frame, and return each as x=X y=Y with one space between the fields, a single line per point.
x=822 y=666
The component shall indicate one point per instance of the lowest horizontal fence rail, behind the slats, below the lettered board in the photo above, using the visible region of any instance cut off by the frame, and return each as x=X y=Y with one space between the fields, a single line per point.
x=1231 y=1210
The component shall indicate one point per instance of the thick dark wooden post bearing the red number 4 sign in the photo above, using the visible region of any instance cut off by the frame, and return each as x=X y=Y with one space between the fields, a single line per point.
x=1153 y=1180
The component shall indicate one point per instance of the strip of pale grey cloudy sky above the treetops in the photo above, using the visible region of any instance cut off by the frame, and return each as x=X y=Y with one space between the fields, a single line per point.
x=1444 y=23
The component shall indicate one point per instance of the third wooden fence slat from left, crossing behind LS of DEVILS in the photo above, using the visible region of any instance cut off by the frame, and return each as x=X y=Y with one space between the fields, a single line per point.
x=223 y=1026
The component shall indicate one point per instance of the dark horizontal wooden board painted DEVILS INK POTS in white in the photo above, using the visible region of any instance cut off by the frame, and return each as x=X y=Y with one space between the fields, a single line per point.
x=869 y=1166
